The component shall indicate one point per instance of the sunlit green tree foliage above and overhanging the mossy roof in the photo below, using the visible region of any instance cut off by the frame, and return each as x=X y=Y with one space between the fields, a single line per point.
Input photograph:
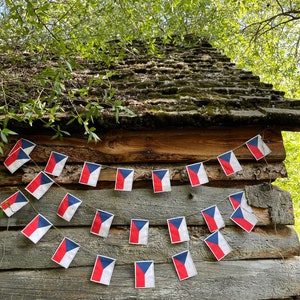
x=262 y=36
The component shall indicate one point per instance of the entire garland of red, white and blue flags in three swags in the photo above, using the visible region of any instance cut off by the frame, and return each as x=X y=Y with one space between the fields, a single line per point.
x=104 y=266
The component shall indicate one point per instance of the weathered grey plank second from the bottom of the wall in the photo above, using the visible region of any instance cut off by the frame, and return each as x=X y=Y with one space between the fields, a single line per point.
x=261 y=243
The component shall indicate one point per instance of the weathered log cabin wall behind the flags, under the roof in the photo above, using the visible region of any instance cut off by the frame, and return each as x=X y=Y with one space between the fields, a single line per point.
x=263 y=263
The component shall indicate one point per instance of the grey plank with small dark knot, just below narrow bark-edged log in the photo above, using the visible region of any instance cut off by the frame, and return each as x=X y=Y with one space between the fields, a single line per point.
x=140 y=204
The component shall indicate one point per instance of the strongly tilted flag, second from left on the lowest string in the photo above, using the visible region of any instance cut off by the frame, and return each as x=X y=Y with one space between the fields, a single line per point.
x=37 y=228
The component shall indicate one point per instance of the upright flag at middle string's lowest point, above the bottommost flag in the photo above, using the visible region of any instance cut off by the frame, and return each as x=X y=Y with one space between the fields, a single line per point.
x=139 y=232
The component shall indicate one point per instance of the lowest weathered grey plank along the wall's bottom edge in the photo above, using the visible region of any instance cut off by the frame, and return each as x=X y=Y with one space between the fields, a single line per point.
x=251 y=280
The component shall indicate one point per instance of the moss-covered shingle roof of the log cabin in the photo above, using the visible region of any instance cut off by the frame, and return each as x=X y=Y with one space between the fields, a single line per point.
x=185 y=85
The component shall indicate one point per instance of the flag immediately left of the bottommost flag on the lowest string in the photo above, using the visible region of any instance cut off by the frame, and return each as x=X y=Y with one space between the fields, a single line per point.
x=103 y=269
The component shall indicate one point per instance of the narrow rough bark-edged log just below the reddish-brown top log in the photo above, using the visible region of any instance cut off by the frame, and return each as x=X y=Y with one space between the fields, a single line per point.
x=254 y=171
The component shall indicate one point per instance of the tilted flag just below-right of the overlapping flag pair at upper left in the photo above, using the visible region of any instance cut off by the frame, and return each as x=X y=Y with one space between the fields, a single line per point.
x=39 y=185
